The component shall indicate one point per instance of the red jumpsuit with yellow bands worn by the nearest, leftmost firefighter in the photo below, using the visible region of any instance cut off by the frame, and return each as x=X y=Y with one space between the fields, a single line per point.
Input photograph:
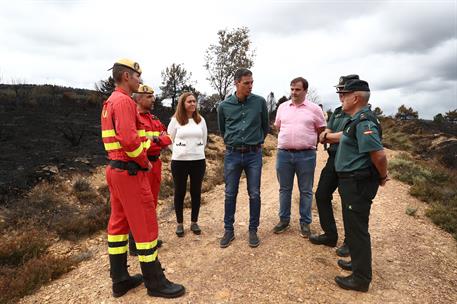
x=132 y=202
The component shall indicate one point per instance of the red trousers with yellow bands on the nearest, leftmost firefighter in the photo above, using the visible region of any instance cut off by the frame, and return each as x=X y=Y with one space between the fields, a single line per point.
x=132 y=209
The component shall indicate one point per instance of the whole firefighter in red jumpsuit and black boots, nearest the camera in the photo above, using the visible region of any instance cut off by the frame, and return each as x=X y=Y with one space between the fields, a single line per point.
x=132 y=202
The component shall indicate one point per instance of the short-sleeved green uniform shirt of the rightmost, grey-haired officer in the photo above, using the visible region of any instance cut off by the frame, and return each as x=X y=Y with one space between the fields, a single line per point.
x=354 y=153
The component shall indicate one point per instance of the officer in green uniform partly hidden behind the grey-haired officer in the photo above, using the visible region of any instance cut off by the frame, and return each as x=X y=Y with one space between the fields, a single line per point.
x=328 y=181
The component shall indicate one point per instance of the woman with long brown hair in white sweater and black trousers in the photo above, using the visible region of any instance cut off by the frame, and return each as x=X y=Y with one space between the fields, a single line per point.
x=188 y=131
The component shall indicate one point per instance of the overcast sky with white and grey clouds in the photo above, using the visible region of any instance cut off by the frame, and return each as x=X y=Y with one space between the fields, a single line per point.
x=406 y=50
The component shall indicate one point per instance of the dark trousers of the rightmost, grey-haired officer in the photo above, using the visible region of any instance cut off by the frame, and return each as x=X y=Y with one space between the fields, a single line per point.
x=357 y=196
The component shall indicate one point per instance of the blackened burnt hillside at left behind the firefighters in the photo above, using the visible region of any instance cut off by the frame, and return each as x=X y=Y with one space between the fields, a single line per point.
x=46 y=129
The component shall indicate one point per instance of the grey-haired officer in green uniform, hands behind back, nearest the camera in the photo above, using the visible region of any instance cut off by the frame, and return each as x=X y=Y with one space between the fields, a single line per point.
x=361 y=165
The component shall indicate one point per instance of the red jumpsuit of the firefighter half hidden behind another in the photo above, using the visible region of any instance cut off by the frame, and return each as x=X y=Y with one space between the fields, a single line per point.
x=154 y=128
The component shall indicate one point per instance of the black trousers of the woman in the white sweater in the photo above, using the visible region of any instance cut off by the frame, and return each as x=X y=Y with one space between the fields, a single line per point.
x=181 y=169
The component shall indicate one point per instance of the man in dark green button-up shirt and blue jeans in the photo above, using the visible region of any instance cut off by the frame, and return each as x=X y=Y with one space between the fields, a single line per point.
x=243 y=122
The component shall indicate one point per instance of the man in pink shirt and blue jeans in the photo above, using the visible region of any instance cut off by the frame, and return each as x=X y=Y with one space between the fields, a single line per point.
x=299 y=122
